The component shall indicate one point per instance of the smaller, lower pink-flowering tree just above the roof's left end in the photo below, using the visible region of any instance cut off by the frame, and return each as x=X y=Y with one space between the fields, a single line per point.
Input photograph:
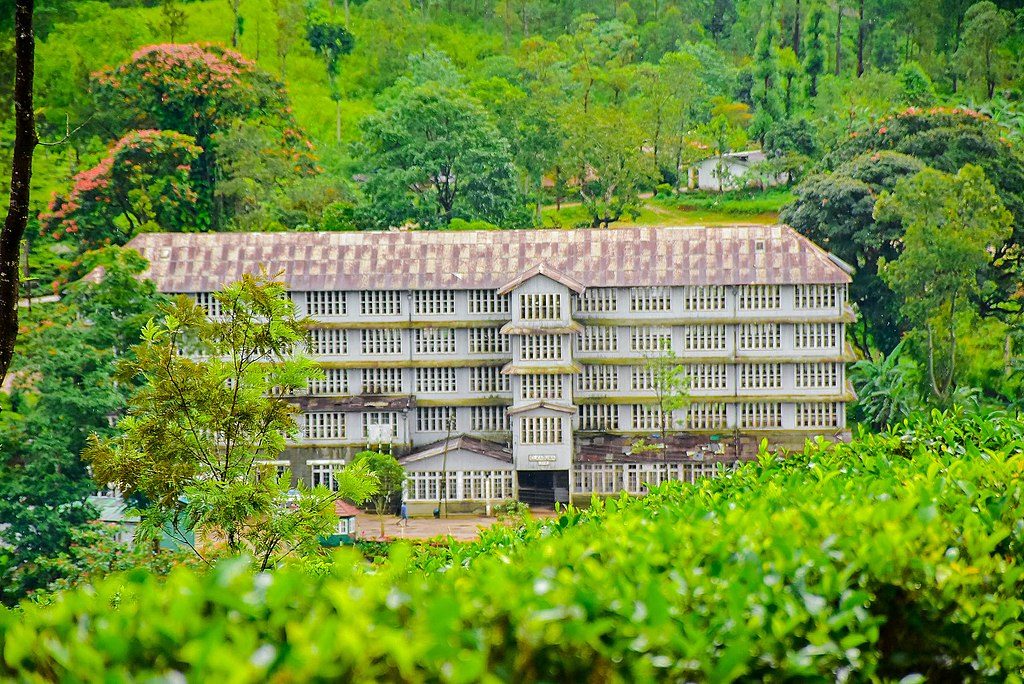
x=144 y=184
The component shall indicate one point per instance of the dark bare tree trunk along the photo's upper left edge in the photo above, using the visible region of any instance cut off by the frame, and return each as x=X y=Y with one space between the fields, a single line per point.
x=21 y=179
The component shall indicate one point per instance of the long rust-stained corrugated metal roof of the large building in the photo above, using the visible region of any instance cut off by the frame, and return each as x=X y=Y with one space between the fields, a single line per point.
x=490 y=260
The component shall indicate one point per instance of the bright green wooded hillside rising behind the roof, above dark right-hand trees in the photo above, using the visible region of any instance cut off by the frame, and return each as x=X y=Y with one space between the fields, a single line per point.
x=366 y=113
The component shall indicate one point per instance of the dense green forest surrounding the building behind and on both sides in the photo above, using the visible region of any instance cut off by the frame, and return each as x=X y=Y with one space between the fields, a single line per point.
x=895 y=126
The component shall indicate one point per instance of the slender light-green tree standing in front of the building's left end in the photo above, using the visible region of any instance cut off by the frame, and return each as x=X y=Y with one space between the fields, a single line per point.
x=211 y=408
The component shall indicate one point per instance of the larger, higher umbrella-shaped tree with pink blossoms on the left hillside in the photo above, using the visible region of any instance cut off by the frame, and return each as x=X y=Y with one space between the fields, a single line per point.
x=197 y=91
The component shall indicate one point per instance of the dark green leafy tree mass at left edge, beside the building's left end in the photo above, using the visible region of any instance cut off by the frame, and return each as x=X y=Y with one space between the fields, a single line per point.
x=64 y=390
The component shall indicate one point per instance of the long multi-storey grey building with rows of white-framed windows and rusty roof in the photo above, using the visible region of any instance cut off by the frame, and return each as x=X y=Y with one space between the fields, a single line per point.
x=519 y=363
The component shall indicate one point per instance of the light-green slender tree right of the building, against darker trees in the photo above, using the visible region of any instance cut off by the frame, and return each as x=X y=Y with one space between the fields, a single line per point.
x=954 y=226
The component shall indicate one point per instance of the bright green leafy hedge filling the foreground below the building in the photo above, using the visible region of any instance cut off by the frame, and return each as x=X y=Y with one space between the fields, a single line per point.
x=898 y=557
